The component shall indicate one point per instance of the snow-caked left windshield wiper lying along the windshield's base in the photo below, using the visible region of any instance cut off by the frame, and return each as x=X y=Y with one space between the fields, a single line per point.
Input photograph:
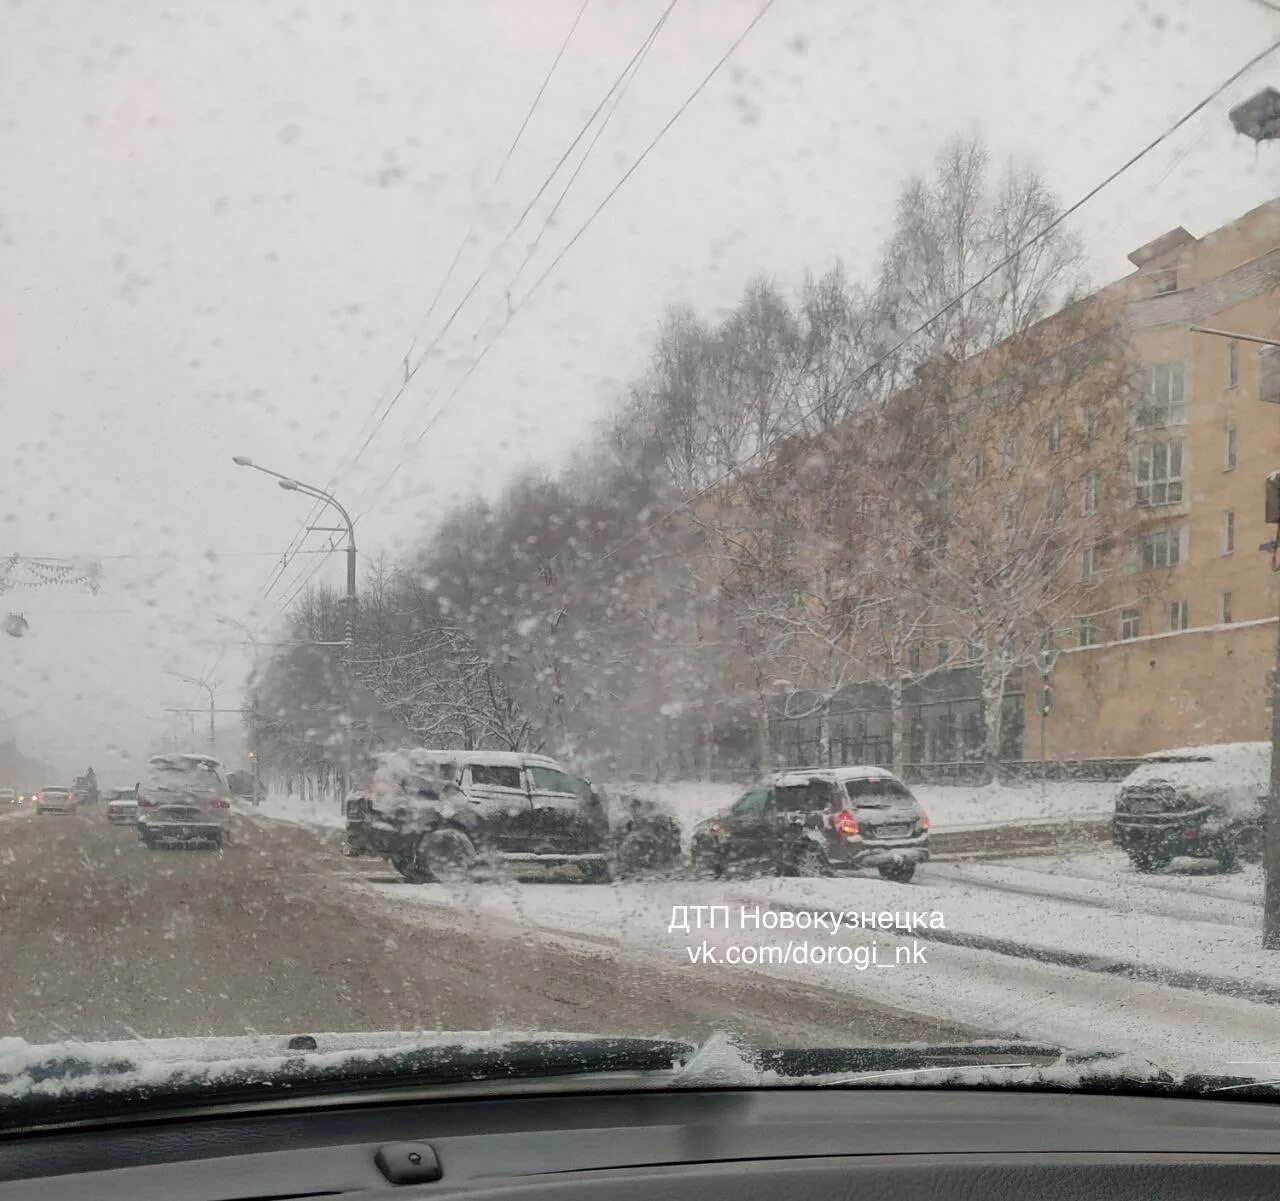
x=60 y=1085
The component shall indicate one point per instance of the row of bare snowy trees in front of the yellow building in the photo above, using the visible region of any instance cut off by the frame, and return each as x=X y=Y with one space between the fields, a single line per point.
x=817 y=492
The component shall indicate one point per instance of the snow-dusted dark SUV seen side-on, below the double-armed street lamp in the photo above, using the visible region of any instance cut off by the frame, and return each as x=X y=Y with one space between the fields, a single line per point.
x=446 y=815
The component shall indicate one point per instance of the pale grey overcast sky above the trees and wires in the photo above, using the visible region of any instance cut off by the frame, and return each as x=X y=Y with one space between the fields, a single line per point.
x=222 y=226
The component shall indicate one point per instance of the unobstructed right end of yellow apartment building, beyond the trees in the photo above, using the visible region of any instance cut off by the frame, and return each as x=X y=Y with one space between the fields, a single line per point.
x=1180 y=649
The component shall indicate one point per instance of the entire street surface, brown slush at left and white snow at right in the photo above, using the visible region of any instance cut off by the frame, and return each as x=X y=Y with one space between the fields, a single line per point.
x=282 y=934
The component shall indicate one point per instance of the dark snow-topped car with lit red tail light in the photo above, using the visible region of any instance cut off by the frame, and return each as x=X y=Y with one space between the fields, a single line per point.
x=817 y=821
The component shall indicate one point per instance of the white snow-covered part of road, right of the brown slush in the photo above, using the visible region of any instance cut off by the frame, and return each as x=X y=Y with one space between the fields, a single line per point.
x=1089 y=910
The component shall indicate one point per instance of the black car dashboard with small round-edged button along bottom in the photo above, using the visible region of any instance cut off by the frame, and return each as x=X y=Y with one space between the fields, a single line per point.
x=706 y=1144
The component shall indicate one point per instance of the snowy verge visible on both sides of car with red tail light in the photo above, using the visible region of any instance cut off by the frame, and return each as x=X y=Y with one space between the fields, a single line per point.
x=950 y=807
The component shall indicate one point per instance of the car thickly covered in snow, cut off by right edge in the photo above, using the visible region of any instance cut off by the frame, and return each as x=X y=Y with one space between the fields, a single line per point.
x=1208 y=802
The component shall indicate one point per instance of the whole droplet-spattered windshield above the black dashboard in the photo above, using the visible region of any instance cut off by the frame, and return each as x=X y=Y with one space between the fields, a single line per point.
x=740 y=519
